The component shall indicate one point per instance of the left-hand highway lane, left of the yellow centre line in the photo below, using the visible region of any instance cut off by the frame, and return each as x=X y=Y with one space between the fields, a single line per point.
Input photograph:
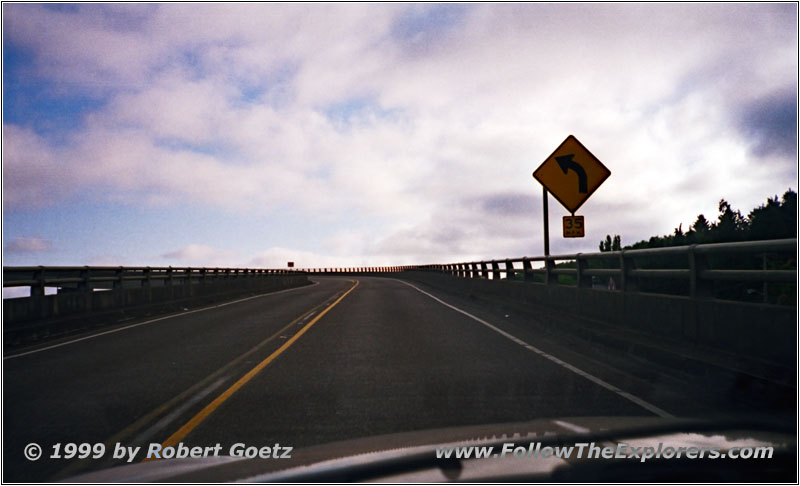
x=96 y=389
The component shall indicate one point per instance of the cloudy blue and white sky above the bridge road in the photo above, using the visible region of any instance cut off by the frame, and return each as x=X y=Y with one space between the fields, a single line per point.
x=250 y=135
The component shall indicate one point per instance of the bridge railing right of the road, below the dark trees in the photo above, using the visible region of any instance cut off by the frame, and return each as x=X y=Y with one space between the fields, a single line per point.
x=698 y=271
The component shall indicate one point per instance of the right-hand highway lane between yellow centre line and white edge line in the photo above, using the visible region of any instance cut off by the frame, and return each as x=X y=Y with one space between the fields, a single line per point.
x=390 y=359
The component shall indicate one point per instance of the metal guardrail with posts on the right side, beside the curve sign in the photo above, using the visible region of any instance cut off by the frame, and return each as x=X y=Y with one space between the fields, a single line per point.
x=626 y=274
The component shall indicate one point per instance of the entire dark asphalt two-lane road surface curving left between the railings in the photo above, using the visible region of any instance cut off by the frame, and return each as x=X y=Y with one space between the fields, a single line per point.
x=342 y=359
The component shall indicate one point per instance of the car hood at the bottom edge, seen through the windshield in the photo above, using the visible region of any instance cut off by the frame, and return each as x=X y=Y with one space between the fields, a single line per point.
x=411 y=456
